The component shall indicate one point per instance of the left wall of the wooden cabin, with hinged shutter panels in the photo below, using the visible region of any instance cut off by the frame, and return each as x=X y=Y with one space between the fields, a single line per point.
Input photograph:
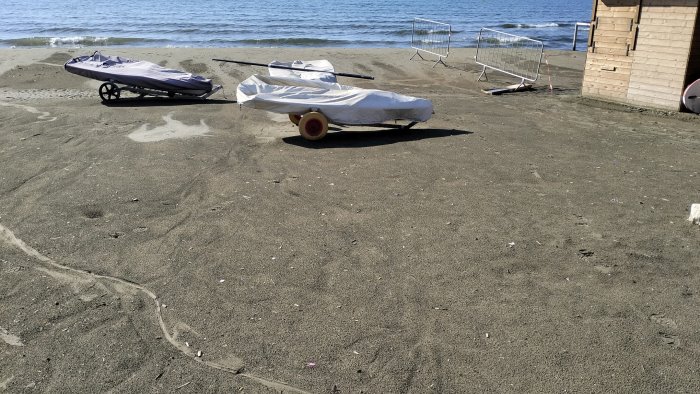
x=608 y=64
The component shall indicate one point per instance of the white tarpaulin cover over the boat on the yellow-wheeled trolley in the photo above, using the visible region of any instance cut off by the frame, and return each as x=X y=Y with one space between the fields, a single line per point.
x=341 y=104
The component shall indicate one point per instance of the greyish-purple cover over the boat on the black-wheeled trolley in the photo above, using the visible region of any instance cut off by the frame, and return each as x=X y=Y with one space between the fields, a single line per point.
x=142 y=74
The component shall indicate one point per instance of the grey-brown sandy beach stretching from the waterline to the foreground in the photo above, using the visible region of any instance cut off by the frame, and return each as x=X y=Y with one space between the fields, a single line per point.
x=528 y=242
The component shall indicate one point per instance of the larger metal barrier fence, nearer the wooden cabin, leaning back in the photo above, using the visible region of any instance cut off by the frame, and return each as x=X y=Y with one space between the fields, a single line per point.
x=510 y=54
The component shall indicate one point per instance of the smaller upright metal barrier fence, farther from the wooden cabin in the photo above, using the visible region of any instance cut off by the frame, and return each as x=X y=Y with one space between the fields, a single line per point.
x=431 y=37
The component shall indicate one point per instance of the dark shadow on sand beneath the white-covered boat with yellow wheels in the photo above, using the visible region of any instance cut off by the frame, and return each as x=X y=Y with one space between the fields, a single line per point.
x=364 y=139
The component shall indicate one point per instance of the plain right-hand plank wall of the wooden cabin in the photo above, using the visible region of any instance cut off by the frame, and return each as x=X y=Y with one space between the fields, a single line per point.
x=662 y=53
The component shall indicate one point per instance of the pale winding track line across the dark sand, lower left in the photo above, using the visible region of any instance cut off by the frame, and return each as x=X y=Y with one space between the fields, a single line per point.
x=231 y=364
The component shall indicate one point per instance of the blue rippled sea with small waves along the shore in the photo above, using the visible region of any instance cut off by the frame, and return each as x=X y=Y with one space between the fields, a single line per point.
x=277 y=23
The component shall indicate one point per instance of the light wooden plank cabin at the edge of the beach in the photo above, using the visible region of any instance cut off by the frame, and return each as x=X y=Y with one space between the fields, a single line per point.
x=643 y=52
